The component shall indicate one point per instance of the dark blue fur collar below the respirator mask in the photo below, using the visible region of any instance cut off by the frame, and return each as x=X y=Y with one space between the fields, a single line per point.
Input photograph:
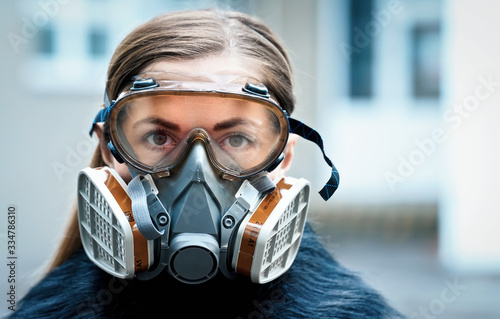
x=315 y=287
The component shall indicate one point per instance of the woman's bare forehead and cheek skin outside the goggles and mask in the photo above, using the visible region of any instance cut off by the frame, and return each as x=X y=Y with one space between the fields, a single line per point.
x=222 y=64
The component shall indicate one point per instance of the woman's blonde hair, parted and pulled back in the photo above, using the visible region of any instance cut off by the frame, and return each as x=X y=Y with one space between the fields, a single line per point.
x=190 y=35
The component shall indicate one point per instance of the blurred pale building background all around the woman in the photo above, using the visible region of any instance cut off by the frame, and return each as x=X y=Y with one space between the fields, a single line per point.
x=404 y=92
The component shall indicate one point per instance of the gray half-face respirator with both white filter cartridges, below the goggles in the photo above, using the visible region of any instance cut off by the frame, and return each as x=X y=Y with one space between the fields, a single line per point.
x=192 y=223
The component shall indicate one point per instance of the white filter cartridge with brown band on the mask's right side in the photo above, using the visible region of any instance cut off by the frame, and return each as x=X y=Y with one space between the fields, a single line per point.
x=268 y=240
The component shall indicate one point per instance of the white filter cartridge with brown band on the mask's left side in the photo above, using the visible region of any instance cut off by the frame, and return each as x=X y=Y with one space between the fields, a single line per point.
x=107 y=226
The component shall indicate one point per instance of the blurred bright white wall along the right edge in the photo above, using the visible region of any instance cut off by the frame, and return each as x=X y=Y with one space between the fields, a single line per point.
x=470 y=212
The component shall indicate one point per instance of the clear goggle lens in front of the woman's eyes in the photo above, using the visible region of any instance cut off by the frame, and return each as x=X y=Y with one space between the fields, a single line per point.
x=153 y=132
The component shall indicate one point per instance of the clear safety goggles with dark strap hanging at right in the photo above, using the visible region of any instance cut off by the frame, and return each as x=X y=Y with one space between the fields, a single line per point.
x=157 y=117
